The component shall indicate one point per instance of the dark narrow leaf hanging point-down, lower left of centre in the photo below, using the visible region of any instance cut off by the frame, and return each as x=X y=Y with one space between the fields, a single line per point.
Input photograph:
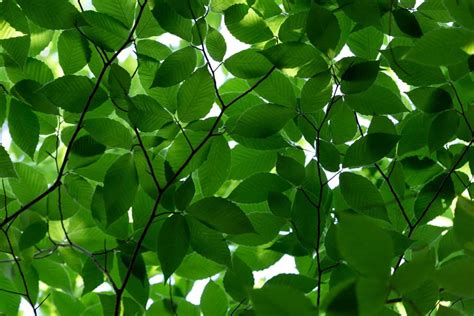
x=173 y=243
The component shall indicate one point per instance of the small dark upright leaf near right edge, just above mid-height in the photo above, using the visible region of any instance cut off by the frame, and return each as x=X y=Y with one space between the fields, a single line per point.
x=442 y=129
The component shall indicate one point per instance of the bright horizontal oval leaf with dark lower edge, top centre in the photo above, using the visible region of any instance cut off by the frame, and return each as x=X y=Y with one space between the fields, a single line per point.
x=248 y=64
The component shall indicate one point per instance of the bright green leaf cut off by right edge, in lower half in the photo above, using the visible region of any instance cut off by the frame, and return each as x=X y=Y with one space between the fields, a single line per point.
x=462 y=224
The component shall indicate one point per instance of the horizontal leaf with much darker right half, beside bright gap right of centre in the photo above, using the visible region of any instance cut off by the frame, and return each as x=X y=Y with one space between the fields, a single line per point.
x=369 y=149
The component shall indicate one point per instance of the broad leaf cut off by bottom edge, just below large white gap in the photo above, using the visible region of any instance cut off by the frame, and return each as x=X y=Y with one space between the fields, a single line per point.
x=281 y=300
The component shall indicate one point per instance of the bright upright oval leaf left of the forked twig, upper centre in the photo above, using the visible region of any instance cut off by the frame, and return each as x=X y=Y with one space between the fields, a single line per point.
x=196 y=96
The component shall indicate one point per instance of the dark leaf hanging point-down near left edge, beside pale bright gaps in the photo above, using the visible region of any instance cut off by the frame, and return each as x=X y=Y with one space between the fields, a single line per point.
x=24 y=127
